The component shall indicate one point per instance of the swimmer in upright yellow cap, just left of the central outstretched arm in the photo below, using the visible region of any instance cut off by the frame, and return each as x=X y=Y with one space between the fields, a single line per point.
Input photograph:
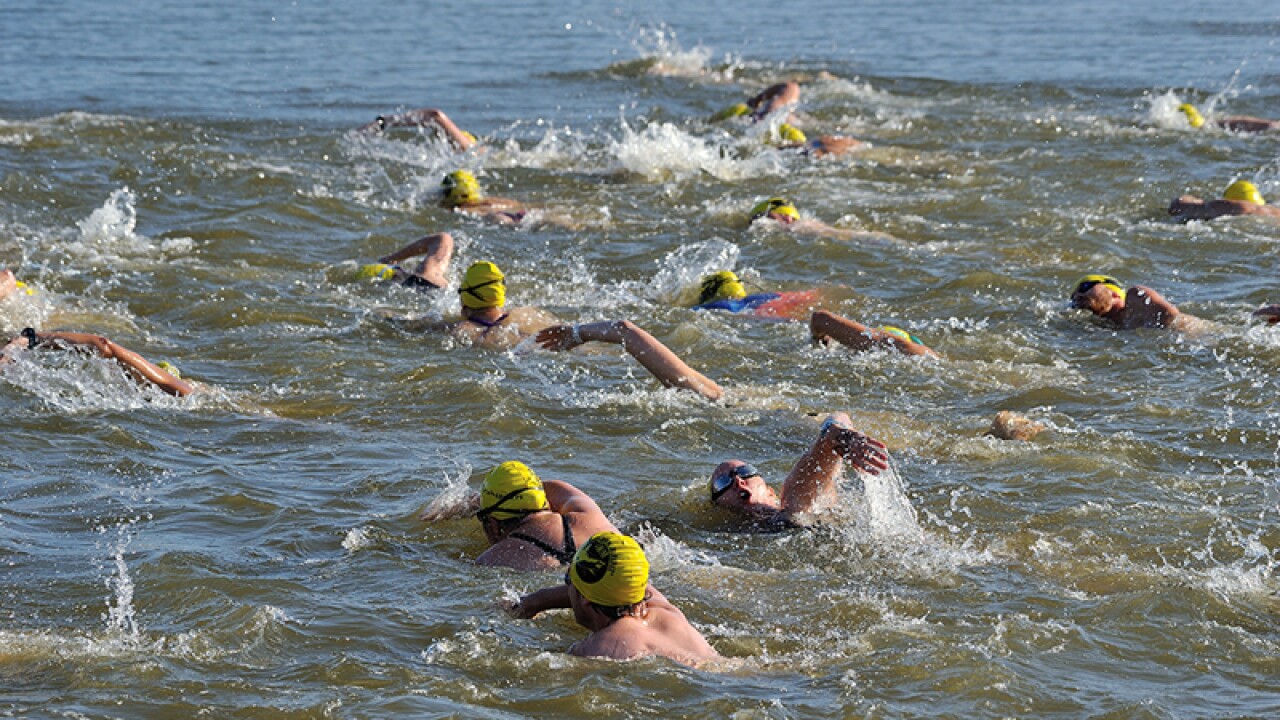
x=487 y=322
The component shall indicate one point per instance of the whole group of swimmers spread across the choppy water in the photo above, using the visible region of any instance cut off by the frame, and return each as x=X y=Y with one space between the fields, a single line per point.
x=532 y=525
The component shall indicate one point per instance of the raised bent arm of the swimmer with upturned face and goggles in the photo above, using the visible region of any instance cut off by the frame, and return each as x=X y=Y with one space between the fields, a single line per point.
x=813 y=477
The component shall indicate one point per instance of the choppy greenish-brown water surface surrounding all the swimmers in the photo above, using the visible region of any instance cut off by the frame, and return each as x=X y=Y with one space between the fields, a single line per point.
x=184 y=181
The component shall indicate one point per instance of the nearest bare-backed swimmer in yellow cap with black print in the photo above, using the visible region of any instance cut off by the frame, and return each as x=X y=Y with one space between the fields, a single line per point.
x=609 y=589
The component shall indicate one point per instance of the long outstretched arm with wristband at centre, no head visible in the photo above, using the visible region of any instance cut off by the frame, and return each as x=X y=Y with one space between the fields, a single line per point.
x=656 y=357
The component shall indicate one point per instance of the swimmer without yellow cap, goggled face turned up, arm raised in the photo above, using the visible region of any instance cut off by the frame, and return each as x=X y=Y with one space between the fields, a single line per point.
x=812 y=484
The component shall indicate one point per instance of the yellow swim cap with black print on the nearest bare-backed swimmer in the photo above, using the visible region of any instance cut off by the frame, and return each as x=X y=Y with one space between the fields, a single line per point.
x=611 y=571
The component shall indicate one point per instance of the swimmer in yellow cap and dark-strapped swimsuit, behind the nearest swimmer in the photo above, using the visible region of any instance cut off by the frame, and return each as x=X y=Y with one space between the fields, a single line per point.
x=534 y=525
